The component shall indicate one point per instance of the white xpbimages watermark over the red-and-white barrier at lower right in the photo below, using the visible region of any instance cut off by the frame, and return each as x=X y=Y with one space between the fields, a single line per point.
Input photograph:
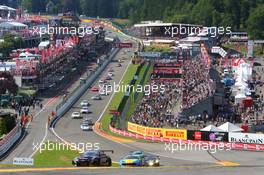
x=210 y=147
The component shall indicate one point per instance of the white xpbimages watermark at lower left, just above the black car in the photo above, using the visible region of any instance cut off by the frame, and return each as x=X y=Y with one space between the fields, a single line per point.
x=59 y=146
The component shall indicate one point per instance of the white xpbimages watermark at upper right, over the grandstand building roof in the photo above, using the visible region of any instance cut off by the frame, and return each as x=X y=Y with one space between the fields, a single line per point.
x=183 y=30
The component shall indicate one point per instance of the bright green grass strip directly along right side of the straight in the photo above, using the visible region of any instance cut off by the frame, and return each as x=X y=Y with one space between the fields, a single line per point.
x=117 y=98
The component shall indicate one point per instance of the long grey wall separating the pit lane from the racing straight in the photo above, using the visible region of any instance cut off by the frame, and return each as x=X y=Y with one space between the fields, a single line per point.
x=81 y=90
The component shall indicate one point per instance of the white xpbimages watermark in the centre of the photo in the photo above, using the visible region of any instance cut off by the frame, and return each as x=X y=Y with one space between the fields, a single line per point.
x=146 y=89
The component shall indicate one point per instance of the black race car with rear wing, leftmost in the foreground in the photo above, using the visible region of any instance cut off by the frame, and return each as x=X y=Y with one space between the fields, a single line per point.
x=93 y=158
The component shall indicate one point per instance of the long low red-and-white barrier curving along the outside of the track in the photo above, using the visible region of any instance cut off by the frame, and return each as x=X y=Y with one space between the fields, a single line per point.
x=235 y=146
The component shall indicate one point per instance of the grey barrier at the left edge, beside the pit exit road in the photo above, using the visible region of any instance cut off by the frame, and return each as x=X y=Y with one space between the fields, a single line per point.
x=8 y=141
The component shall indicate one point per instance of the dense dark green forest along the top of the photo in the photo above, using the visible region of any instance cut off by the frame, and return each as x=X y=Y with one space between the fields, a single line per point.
x=239 y=14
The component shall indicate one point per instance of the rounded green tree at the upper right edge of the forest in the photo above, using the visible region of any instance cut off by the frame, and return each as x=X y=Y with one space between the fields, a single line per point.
x=255 y=23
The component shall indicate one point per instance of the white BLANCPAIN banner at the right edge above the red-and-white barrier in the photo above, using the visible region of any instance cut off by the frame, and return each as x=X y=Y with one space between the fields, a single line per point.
x=246 y=138
